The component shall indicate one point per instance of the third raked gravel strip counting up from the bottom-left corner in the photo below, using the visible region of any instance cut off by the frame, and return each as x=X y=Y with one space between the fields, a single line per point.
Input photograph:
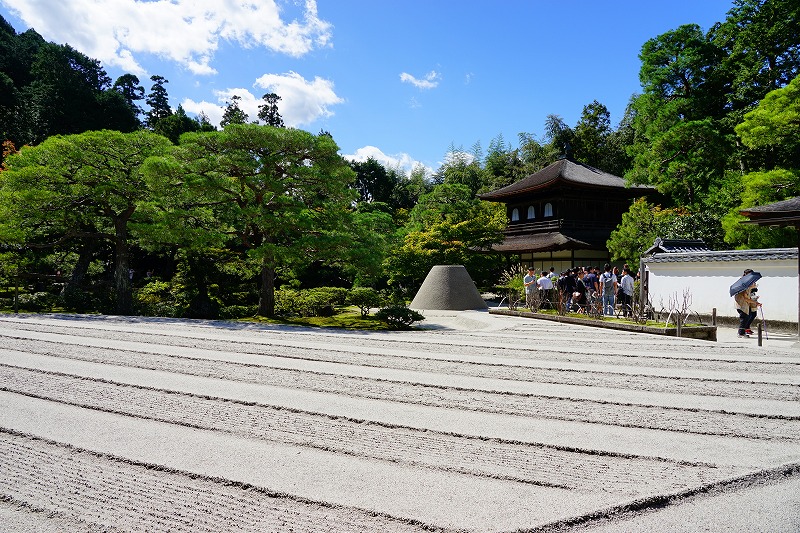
x=692 y=420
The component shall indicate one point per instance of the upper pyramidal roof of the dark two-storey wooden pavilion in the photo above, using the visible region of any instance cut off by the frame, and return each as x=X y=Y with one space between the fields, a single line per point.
x=565 y=170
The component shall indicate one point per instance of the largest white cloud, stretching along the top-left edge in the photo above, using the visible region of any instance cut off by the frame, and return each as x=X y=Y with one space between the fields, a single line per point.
x=184 y=31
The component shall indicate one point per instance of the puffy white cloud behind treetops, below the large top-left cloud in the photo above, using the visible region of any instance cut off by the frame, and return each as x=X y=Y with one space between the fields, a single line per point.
x=302 y=102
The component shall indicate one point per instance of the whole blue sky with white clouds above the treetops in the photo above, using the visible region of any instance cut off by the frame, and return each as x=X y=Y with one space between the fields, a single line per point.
x=399 y=81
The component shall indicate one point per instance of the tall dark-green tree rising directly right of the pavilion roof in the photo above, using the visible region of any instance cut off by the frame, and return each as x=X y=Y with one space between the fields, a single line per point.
x=680 y=146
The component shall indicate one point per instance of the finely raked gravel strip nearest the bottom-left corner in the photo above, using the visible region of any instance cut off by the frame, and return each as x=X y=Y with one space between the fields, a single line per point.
x=112 y=486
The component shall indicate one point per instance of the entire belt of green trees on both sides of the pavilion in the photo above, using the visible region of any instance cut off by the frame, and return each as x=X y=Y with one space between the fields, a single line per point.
x=224 y=217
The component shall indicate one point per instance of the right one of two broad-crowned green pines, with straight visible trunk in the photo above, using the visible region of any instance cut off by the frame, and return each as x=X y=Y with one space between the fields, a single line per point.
x=282 y=195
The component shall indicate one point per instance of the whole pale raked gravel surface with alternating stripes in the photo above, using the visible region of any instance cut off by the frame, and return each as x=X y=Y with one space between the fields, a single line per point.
x=478 y=423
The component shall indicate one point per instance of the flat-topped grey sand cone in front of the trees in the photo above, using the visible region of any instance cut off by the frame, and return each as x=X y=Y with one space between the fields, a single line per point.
x=448 y=287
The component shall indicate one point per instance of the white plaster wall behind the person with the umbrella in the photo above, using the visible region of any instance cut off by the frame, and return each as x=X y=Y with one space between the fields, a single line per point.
x=709 y=284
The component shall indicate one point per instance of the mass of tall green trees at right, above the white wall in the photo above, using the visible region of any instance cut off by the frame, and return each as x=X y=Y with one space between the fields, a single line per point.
x=691 y=139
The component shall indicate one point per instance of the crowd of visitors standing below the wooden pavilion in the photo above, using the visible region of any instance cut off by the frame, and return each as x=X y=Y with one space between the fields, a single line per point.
x=580 y=287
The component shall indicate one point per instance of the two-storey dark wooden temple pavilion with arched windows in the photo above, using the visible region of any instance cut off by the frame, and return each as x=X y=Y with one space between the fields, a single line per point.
x=563 y=215
